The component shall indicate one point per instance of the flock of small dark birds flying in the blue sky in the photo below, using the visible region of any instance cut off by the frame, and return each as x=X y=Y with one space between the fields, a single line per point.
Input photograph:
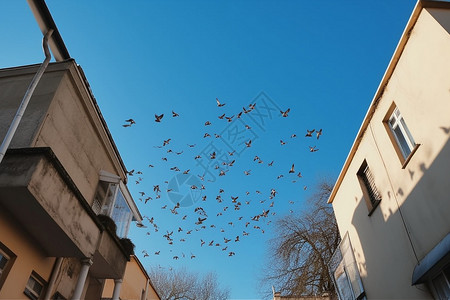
x=231 y=206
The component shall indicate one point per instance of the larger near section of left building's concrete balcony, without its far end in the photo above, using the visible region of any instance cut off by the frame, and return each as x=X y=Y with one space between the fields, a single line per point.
x=34 y=193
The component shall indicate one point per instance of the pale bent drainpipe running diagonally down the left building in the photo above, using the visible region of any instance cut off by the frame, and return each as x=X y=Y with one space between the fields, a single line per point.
x=15 y=123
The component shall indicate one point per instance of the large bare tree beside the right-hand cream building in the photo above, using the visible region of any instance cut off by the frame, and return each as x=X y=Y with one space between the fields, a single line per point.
x=304 y=245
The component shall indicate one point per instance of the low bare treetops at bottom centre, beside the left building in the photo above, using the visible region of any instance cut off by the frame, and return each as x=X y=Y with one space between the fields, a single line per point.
x=180 y=284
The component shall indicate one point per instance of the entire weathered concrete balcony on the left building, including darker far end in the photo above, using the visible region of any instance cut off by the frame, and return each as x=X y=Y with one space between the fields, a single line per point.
x=38 y=193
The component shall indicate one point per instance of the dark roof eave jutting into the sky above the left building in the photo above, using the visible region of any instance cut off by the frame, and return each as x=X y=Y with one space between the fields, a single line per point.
x=45 y=22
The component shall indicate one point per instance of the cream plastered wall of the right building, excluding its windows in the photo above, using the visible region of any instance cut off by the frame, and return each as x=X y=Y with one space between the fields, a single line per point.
x=419 y=87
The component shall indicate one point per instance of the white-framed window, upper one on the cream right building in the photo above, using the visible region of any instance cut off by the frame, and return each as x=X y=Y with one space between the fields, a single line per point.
x=401 y=134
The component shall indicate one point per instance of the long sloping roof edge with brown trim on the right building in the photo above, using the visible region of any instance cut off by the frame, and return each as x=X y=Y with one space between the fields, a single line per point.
x=384 y=81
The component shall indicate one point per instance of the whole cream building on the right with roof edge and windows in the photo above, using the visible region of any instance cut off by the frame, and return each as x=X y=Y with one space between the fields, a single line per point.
x=391 y=200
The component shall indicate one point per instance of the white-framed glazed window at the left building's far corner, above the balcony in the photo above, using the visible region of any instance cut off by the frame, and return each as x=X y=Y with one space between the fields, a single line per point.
x=111 y=200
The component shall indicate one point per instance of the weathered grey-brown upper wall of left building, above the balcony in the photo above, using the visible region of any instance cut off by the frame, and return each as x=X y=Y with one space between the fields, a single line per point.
x=61 y=115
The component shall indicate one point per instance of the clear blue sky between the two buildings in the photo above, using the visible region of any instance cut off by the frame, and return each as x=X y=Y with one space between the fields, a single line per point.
x=323 y=60
